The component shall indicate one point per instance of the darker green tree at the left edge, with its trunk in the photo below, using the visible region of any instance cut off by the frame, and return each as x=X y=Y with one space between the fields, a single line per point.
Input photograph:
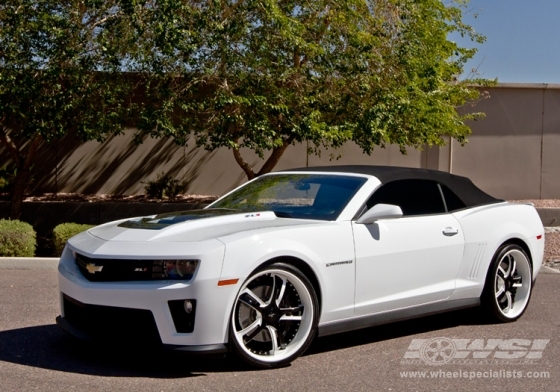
x=61 y=66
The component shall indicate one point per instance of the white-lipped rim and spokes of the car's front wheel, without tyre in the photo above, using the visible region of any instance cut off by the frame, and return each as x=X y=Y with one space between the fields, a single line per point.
x=305 y=325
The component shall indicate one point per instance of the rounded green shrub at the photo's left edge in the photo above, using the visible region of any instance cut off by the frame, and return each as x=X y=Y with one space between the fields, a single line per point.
x=17 y=239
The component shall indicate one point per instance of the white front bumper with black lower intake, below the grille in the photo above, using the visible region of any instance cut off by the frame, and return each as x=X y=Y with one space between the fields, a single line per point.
x=140 y=312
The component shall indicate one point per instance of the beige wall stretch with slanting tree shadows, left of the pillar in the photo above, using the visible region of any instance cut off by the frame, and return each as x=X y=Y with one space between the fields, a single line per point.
x=120 y=166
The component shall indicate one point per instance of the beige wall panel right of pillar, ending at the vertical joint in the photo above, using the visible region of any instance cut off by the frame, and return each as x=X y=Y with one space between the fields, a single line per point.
x=504 y=151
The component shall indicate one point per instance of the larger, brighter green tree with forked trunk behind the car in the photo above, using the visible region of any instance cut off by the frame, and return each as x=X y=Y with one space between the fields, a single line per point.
x=268 y=74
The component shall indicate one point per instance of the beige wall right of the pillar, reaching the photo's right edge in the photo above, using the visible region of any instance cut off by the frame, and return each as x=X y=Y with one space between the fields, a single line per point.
x=513 y=152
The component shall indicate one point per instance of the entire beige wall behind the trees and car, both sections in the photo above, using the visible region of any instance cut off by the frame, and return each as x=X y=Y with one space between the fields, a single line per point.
x=513 y=153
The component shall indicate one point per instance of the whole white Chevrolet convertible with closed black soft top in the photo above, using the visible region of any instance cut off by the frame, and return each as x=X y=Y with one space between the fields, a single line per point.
x=300 y=253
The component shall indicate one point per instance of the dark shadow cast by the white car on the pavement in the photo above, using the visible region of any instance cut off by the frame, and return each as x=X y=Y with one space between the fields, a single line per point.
x=48 y=347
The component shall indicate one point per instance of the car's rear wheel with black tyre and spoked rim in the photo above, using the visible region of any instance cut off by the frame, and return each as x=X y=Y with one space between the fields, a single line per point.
x=509 y=283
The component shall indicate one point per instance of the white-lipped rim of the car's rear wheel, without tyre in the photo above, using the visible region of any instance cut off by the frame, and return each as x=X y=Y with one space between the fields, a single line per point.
x=512 y=284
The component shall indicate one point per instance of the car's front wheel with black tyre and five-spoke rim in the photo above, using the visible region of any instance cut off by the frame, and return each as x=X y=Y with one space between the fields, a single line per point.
x=274 y=317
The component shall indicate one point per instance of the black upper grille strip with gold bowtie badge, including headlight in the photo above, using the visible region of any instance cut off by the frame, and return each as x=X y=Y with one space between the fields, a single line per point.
x=119 y=270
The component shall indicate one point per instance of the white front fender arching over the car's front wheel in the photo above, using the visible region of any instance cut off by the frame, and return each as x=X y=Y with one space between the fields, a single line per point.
x=327 y=249
